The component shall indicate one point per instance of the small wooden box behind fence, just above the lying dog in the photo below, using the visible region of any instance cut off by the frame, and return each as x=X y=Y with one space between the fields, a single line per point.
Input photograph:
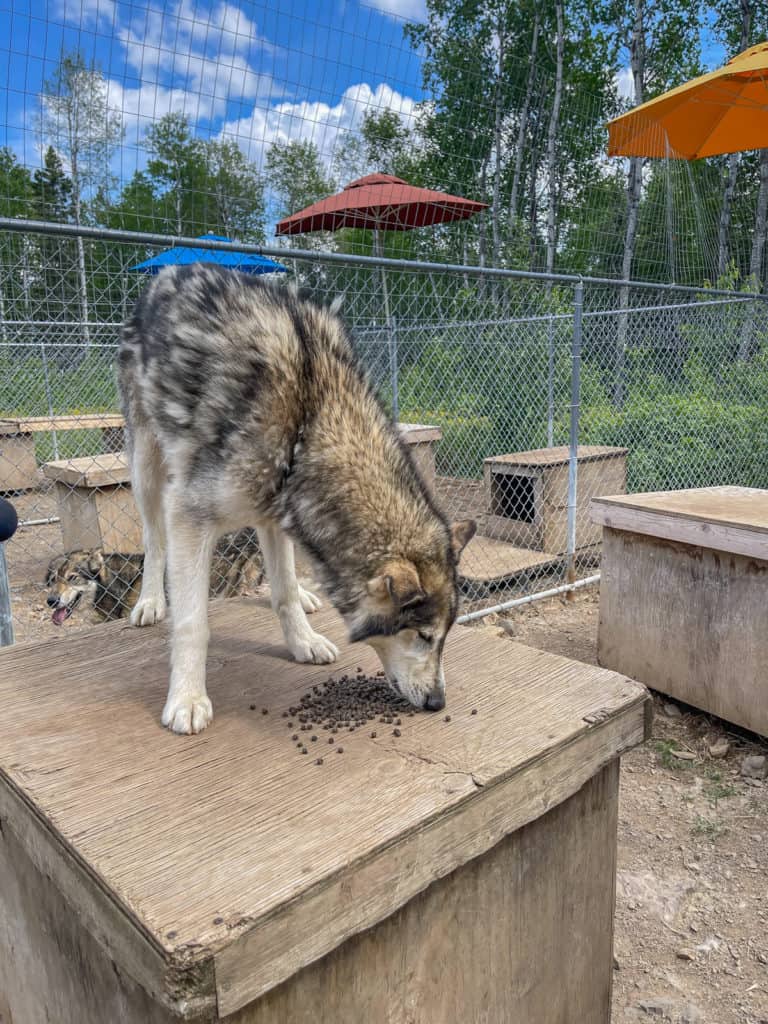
x=96 y=504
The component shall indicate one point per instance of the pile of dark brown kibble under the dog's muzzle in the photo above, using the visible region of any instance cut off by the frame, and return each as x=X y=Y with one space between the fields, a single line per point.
x=343 y=706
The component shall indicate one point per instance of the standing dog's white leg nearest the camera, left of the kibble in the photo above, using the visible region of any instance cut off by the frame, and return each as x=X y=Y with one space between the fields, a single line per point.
x=191 y=544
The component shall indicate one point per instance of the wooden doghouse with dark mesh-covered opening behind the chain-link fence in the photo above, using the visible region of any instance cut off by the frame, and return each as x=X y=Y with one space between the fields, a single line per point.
x=527 y=495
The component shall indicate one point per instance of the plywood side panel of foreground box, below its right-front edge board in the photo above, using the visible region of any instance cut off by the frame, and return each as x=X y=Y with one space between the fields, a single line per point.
x=524 y=934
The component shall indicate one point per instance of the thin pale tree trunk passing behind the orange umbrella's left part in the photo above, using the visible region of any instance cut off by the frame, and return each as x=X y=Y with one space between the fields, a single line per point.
x=634 y=191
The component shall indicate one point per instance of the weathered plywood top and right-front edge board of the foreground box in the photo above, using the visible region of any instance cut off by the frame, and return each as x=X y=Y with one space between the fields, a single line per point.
x=218 y=845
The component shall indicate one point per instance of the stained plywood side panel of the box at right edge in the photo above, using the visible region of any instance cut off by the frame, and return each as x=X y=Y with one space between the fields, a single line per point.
x=690 y=622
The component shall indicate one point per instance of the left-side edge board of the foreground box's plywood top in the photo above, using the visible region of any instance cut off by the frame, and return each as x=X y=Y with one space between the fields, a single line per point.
x=181 y=983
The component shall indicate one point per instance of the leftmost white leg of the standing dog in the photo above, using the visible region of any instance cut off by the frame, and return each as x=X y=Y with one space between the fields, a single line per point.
x=148 y=484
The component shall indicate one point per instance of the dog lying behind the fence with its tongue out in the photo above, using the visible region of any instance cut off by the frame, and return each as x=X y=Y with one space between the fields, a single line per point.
x=113 y=581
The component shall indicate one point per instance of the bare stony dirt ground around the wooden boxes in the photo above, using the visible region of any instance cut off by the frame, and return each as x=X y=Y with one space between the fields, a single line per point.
x=692 y=929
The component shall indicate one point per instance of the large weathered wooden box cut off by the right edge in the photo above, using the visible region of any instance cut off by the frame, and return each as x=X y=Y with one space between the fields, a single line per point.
x=685 y=596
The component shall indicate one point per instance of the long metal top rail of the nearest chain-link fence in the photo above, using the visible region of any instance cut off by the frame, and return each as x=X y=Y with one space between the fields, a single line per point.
x=152 y=239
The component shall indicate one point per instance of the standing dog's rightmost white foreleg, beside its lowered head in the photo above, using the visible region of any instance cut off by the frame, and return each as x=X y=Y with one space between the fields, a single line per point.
x=304 y=643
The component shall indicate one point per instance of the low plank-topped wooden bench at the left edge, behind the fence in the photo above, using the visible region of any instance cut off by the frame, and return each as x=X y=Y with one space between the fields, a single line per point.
x=19 y=470
